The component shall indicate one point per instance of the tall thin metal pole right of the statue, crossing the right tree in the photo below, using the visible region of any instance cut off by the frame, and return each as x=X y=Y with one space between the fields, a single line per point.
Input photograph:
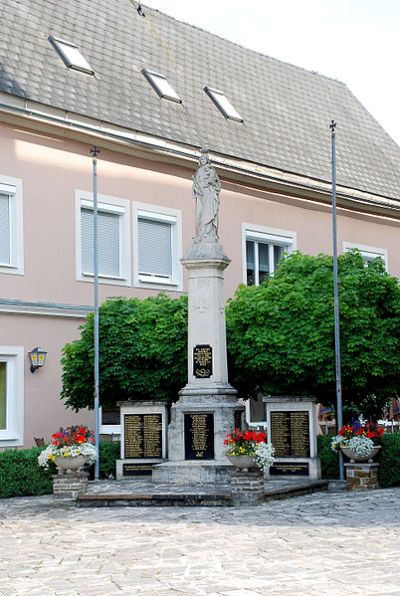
x=339 y=405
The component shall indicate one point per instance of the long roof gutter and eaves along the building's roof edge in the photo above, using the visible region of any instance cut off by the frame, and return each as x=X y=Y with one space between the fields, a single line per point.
x=155 y=148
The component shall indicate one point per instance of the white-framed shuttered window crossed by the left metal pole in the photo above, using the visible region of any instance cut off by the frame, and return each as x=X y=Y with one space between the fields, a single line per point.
x=114 y=245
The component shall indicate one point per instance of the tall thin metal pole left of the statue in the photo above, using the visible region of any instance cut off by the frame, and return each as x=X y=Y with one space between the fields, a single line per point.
x=94 y=152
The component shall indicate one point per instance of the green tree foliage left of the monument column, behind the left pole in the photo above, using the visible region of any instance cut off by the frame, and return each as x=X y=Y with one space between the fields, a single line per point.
x=143 y=352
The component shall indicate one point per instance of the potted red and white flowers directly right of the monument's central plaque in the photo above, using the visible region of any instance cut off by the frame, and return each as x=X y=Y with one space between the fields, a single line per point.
x=249 y=449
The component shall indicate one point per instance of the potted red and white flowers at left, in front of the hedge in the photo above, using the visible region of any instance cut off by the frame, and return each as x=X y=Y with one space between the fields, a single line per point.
x=70 y=449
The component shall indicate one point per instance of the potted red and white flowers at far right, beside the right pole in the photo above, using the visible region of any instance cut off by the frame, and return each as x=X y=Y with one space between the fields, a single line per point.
x=359 y=441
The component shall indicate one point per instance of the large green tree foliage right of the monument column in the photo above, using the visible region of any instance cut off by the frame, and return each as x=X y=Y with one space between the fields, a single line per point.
x=281 y=333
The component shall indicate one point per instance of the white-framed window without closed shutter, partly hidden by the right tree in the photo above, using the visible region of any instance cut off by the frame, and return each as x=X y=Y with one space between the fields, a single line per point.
x=262 y=250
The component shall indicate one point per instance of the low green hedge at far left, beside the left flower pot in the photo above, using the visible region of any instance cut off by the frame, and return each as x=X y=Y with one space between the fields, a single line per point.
x=20 y=474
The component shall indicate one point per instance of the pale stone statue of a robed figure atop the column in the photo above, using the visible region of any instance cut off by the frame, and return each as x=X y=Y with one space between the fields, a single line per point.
x=206 y=189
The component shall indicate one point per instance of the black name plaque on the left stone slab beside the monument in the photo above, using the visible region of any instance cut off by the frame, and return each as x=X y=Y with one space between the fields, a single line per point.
x=143 y=436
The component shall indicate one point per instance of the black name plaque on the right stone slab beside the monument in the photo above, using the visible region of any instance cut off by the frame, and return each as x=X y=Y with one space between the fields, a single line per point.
x=290 y=433
